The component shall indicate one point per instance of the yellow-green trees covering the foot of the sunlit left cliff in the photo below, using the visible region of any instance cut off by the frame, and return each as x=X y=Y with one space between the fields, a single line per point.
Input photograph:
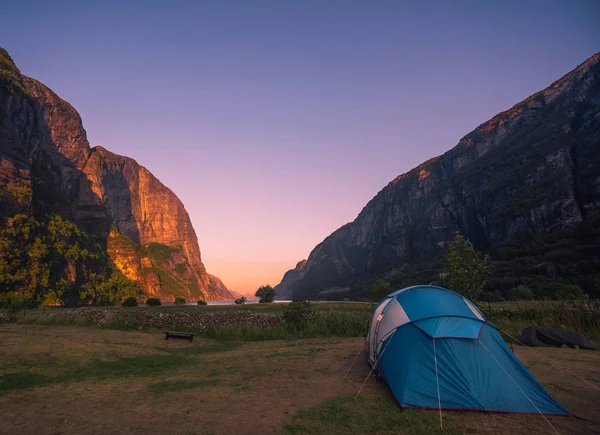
x=53 y=261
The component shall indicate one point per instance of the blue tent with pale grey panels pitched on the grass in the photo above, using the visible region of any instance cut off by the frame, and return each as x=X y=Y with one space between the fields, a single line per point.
x=436 y=350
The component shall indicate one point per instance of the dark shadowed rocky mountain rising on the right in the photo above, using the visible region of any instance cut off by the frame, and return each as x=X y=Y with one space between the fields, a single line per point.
x=513 y=186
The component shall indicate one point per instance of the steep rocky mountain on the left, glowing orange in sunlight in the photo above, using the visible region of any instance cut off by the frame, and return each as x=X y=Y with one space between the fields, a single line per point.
x=137 y=227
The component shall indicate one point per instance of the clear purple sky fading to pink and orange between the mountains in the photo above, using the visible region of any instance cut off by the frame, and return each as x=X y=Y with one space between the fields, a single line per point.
x=275 y=122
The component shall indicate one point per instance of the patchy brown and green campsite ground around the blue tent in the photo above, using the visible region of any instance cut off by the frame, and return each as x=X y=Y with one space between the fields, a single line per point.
x=70 y=379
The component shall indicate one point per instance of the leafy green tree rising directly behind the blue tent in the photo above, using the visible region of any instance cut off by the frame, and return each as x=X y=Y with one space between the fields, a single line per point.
x=467 y=268
